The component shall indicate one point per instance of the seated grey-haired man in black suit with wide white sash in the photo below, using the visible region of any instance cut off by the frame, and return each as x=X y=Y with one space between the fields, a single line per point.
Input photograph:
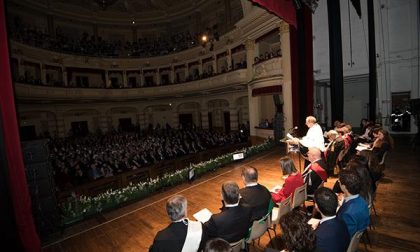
x=182 y=234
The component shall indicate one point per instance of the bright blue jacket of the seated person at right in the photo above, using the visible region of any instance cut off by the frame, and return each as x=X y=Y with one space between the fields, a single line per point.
x=355 y=213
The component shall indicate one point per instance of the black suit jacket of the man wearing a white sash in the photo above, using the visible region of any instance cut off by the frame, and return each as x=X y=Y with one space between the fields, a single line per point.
x=172 y=238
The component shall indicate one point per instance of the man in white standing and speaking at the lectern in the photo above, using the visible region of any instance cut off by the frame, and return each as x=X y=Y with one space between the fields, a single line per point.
x=314 y=137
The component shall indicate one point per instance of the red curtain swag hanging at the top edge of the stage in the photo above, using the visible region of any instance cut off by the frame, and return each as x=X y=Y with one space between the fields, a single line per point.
x=282 y=8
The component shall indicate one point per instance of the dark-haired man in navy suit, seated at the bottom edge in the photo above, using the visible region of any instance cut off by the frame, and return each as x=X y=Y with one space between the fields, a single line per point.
x=331 y=233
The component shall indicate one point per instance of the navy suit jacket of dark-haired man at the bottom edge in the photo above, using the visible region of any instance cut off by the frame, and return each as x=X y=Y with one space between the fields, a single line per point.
x=332 y=236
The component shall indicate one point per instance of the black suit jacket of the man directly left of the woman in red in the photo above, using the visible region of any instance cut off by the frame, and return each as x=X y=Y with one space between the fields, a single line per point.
x=257 y=198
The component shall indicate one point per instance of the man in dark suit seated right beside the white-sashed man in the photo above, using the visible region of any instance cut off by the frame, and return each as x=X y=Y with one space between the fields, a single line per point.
x=233 y=222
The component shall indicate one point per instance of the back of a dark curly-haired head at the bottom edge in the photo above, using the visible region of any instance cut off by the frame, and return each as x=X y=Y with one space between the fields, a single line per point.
x=297 y=234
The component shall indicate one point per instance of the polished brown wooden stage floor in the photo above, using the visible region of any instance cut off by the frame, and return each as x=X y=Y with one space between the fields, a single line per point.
x=132 y=228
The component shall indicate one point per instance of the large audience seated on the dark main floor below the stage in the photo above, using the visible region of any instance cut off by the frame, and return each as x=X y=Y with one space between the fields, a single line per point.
x=77 y=160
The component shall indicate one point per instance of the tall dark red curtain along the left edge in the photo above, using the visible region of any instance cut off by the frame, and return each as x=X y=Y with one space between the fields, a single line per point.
x=17 y=178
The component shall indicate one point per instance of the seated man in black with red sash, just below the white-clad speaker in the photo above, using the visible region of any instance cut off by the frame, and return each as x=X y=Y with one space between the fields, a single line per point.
x=315 y=173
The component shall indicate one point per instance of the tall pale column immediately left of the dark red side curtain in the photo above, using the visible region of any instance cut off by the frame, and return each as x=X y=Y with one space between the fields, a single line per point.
x=287 y=75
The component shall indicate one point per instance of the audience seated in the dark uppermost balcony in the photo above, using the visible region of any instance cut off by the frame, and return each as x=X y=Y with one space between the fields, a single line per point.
x=96 y=46
